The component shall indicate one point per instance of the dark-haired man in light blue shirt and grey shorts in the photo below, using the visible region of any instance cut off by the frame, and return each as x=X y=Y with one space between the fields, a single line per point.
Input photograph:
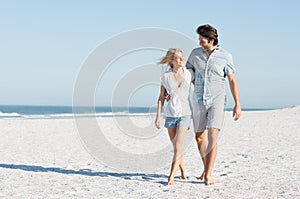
x=210 y=65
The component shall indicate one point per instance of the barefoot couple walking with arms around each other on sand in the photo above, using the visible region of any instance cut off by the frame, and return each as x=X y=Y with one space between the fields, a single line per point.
x=207 y=68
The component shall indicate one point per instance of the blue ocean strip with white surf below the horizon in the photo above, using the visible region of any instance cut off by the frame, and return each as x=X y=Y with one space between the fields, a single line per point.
x=57 y=112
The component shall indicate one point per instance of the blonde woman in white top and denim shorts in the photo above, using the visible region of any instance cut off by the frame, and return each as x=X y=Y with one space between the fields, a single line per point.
x=176 y=82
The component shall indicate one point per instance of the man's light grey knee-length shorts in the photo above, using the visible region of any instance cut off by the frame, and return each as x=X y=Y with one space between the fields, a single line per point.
x=211 y=116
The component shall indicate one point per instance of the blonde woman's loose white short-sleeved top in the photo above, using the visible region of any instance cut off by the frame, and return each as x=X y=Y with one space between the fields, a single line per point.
x=178 y=105
